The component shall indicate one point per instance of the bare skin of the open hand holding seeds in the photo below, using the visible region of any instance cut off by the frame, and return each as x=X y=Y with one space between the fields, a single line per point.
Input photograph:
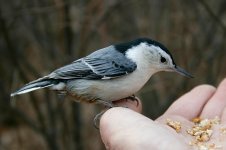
x=123 y=129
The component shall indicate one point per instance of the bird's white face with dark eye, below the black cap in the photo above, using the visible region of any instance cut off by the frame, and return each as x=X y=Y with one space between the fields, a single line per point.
x=151 y=56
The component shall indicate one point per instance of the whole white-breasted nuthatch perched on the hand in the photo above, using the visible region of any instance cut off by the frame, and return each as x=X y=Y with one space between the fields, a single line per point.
x=109 y=74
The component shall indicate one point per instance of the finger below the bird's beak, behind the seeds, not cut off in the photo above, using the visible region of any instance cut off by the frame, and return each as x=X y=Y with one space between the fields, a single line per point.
x=191 y=104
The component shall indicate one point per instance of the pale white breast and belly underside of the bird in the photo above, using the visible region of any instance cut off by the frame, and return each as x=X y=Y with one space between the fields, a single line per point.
x=110 y=90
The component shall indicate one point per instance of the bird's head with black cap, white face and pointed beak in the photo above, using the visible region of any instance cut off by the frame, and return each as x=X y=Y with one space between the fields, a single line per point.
x=147 y=53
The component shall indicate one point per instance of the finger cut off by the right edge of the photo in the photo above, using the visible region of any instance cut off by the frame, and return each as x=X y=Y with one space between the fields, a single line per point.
x=217 y=103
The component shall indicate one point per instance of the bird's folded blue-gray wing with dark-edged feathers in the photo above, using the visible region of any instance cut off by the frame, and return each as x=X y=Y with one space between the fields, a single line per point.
x=99 y=65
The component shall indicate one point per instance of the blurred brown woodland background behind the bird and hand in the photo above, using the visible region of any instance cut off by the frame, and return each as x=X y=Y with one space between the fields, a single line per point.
x=38 y=36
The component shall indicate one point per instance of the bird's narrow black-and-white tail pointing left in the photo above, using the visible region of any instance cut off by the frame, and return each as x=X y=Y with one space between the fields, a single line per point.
x=35 y=85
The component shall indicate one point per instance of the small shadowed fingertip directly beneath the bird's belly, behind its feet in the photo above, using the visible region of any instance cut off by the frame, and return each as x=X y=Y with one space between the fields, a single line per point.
x=135 y=105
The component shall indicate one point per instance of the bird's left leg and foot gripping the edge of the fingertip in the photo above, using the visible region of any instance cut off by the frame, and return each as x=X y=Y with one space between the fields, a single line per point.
x=96 y=119
